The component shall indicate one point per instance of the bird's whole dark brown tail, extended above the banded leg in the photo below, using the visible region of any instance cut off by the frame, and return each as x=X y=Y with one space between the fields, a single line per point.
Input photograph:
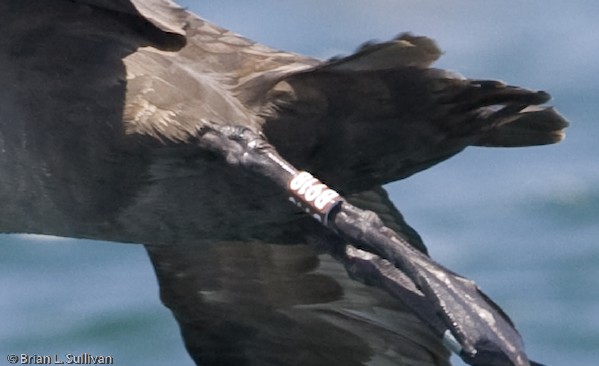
x=384 y=114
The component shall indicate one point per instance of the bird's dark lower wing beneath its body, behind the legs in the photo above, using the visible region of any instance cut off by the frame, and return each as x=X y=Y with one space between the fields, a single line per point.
x=240 y=303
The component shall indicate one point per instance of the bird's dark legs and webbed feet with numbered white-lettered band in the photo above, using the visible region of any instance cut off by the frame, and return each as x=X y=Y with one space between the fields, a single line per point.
x=452 y=306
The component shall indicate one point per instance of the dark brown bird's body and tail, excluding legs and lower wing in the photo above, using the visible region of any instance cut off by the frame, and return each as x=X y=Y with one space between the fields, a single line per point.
x=101 y=106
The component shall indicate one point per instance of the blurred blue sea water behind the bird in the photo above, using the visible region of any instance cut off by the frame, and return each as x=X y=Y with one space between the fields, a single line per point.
x=523 y=223
